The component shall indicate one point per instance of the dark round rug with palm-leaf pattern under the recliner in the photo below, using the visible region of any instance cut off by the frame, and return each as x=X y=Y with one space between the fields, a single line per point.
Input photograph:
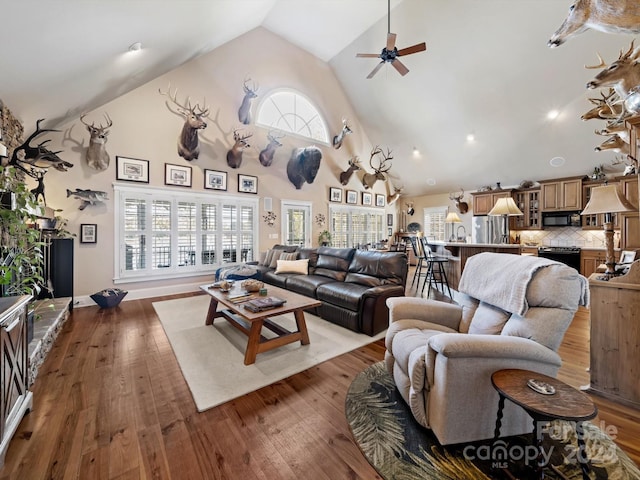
x=399 y=448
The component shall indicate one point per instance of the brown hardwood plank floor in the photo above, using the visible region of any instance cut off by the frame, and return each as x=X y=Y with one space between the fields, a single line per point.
x=110 y=402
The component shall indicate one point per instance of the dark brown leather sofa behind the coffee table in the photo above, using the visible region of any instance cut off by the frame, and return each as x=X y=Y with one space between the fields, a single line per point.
x=353 y=285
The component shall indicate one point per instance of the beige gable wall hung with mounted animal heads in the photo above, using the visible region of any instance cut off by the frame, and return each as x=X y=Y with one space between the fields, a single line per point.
x=144 y=128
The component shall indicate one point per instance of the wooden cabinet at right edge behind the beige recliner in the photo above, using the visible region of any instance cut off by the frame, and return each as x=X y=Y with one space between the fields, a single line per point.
x=615 y=329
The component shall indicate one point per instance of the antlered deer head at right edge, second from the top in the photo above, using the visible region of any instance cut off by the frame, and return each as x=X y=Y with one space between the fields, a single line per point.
x=622 y=75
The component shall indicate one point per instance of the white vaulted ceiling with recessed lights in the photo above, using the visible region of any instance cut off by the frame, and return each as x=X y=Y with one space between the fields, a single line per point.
x=487 y=72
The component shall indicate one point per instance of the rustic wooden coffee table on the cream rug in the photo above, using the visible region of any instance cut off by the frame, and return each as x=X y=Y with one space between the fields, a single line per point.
x=251 y=323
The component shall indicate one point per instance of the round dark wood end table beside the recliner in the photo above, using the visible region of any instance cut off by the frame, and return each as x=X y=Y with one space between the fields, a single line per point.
x=566 y=403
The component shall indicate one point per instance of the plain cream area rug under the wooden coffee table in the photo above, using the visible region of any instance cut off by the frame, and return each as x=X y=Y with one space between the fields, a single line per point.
x=212 y=357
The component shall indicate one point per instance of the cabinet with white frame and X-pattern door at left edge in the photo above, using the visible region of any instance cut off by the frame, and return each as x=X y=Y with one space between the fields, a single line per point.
x=16 y=397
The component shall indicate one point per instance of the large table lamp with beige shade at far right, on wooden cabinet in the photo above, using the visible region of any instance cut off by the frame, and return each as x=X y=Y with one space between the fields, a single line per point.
x=607 y=199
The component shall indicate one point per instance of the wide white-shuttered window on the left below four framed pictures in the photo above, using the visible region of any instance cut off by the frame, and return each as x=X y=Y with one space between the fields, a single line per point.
x=163 y=234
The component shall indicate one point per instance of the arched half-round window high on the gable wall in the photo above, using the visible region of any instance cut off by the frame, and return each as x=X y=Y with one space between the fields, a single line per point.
x=290 y=112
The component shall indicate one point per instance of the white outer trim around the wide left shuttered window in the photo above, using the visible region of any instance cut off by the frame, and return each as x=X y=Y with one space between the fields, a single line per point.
x=169 y=193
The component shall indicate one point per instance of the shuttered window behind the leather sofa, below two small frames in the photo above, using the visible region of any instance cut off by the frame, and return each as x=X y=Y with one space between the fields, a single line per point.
x=353 y=227
